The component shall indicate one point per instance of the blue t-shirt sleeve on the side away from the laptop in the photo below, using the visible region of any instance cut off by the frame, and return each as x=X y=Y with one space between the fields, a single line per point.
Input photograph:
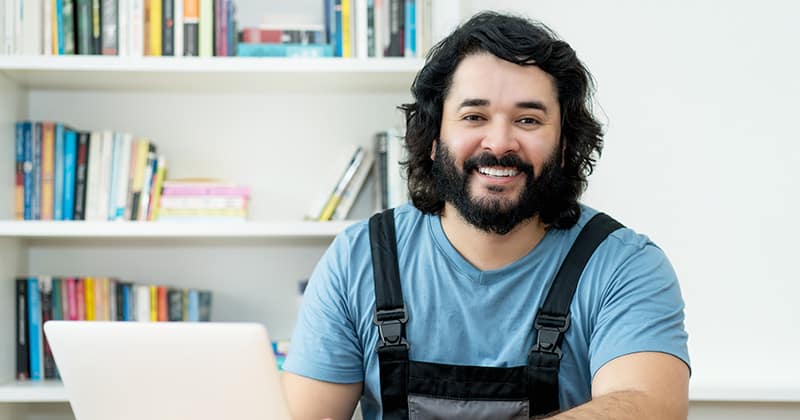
x=641 y=311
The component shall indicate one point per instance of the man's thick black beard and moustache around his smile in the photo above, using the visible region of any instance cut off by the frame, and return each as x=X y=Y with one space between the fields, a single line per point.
x=498 y=214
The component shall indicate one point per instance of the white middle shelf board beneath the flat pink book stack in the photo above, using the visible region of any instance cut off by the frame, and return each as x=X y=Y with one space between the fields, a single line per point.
x=255 y=230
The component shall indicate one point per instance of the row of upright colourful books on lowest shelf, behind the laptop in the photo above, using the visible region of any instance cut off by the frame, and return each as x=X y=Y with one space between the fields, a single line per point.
x=43 y=298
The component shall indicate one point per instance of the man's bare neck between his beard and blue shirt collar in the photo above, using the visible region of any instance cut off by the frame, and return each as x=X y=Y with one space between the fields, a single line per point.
x=490 y=251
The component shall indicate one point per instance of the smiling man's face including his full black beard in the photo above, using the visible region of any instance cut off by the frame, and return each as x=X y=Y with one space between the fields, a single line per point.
x=499 y=143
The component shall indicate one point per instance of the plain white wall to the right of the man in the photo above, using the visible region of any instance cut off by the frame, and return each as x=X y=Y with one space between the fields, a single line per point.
x=701 y=153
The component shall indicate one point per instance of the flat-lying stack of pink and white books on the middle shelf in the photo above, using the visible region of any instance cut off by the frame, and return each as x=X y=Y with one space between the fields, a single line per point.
x=203 y=200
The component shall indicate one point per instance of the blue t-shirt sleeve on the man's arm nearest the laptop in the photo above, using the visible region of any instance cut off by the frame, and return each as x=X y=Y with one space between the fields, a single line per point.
x=324 y=344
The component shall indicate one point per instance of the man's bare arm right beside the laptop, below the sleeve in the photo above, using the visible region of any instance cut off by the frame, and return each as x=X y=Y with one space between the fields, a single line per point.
x=315 y=400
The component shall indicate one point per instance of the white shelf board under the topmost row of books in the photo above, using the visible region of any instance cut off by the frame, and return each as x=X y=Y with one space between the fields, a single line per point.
x=210 y=74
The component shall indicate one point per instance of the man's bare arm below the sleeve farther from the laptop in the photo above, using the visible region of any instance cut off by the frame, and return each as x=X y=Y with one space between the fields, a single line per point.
x=637 y=386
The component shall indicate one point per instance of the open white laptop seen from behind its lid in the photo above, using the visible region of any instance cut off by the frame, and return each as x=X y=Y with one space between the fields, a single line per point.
x=167 y=370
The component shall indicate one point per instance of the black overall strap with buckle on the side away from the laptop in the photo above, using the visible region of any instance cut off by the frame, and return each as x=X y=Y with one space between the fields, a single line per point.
x=552 y=320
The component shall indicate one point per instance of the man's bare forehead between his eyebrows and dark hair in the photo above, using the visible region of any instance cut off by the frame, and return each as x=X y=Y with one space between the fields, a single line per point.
x=484 y=76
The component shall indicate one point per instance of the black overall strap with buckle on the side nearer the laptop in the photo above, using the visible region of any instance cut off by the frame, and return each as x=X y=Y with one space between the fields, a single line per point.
x=390 y=316
